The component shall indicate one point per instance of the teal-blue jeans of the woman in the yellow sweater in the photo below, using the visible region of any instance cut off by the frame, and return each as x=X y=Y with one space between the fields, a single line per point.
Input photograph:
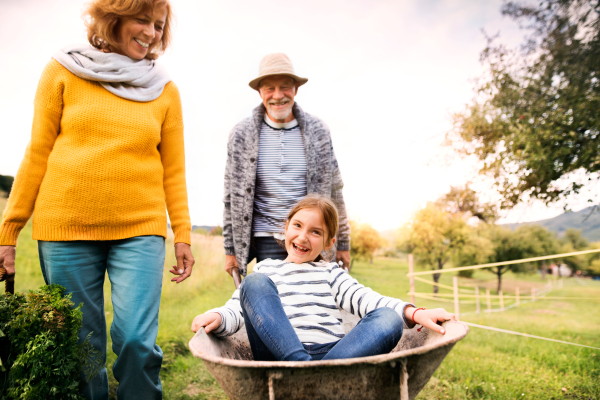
x=135 y=269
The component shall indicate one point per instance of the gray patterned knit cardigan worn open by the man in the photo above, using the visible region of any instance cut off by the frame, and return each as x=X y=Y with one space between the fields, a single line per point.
x=322 y=176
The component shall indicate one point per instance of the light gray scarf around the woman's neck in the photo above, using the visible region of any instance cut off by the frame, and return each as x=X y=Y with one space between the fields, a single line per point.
x=142 y=80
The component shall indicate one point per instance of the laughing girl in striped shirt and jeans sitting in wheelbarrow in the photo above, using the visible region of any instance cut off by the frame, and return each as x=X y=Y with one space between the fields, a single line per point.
x=291 y=307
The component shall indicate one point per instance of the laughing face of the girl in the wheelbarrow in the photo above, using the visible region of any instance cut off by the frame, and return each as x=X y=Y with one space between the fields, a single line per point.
x=306 y=236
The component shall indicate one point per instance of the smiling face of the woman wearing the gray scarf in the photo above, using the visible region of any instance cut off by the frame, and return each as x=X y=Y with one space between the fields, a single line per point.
x=138 y=35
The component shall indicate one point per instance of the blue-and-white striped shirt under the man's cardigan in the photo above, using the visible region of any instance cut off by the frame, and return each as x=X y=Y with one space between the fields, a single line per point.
x=280 y=175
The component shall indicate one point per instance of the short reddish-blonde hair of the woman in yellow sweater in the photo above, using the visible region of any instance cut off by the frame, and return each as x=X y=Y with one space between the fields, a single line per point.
x=102 y=19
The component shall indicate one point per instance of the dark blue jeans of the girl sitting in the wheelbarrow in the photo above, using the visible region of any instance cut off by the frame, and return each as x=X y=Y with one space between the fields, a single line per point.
x=272 y=337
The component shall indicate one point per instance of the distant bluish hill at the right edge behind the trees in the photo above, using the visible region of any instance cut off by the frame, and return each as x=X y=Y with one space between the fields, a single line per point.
x=590 y=227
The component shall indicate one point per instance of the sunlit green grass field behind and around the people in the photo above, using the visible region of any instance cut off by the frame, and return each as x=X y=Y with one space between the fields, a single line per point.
x=484 y=365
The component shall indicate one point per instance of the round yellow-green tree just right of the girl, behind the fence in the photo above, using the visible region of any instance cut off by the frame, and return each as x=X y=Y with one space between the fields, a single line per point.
x=433 y=236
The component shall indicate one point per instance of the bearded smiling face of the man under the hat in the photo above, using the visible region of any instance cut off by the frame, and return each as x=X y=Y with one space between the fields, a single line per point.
x=278 y=93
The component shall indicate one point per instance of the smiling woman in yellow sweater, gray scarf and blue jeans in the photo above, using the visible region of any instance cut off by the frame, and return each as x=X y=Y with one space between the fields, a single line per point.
x=106 y=158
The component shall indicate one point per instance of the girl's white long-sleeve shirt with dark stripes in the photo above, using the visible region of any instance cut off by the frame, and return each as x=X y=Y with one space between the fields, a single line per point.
x=312 y=295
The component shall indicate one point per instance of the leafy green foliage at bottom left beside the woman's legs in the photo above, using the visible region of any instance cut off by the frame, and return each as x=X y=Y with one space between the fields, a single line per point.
x=40 y=356
